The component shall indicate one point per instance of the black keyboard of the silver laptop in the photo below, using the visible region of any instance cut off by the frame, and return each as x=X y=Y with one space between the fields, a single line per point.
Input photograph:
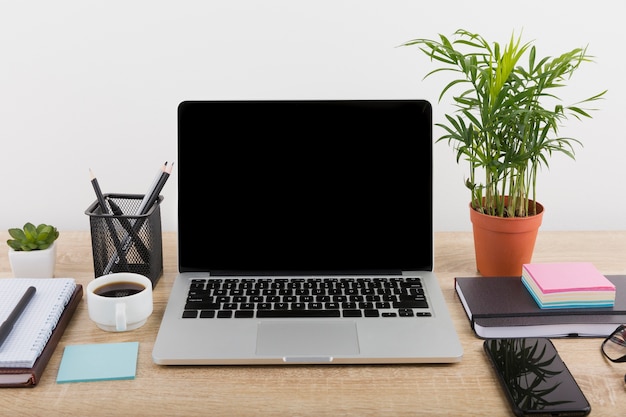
x=306 y=297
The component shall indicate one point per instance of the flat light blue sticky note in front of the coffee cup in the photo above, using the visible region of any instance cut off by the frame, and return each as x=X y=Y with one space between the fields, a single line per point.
x=98 y=362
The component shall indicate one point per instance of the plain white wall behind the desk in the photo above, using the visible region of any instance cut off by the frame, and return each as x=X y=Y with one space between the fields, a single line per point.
x=95 y=84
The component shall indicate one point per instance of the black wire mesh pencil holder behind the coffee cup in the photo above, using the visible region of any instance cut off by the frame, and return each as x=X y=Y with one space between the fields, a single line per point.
x=123 y=241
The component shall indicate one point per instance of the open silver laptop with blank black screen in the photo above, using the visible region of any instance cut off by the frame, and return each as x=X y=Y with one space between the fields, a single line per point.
x=305 y=236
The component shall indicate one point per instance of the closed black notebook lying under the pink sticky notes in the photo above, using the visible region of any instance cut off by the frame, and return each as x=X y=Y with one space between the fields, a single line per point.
x=503 y=307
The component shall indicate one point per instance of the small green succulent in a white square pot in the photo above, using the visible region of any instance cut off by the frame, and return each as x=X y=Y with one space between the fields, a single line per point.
x=32 y=251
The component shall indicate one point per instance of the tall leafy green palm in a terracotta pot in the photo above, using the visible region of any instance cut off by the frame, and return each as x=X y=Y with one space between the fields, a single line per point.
x=506 y=126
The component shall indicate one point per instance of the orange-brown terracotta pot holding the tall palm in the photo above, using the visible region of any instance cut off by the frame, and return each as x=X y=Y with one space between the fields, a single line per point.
x=503 y=244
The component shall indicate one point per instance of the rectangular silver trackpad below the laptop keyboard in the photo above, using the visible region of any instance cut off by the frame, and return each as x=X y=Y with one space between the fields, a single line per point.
x=296 y=339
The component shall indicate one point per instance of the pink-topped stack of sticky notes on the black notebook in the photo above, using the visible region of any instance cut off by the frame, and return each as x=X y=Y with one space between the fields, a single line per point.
x=568 y=285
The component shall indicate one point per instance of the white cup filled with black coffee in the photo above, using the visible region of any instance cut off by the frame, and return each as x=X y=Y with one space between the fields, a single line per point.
x=120 y=301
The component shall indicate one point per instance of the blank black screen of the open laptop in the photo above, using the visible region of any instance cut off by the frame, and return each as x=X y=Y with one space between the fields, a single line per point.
x=305 y=187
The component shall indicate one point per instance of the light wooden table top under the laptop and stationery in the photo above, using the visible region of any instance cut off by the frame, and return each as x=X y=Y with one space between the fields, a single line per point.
x=465 y=388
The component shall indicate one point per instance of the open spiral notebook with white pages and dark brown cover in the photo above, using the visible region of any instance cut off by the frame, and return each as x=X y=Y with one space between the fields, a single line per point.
x=28 y=347
